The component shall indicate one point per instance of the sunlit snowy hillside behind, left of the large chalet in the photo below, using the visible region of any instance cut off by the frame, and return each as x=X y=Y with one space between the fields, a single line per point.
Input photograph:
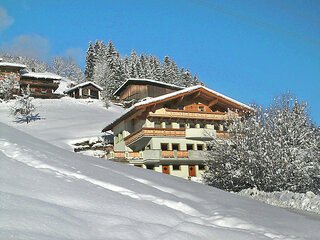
x=64 y=121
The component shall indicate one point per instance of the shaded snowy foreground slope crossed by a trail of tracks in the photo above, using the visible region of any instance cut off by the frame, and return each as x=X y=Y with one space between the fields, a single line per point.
x=51 y=193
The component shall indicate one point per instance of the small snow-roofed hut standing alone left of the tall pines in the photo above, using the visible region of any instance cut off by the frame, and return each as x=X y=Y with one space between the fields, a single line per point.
x=85 y=90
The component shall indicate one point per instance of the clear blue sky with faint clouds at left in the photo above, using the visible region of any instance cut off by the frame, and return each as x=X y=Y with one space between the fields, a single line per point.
x=251 y=50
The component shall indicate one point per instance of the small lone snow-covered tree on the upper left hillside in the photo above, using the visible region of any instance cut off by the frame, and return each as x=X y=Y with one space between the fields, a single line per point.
x=24 y=106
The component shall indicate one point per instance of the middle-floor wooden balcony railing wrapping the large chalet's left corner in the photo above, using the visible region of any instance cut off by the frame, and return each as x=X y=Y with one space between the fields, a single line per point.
x=151 y=132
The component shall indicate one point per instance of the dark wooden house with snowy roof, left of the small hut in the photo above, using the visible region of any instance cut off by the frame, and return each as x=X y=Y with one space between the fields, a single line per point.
x=42 y=85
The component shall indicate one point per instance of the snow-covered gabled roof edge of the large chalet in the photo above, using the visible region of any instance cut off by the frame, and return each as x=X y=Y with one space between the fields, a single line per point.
x=174 y=94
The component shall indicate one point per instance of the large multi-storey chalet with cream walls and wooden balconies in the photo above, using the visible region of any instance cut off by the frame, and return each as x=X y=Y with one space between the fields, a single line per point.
x=168 y=133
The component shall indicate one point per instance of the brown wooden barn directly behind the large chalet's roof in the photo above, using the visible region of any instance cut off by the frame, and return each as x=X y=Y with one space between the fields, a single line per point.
x=137 y=89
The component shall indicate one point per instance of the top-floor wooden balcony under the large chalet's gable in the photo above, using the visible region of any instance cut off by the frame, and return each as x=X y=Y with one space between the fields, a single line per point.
x=182 y=114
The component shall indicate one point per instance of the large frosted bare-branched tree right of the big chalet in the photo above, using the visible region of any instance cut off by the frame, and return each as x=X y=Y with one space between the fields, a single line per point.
x=273 y=150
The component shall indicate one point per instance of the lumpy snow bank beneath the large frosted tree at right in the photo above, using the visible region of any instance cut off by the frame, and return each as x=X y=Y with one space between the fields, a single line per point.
x=301 y=201
